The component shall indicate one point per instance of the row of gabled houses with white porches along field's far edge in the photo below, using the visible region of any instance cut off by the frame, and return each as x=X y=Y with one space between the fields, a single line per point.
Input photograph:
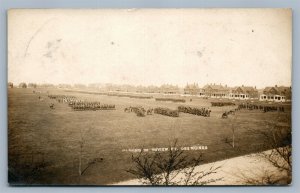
x=272 y=94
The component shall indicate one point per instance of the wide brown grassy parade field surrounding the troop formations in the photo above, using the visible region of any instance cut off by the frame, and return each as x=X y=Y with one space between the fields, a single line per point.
x=51 y=137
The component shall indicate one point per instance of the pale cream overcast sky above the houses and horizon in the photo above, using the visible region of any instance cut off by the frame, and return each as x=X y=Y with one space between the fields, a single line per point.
x=144 y=47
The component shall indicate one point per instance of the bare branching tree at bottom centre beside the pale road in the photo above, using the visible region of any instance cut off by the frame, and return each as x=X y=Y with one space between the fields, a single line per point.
x=165 y=168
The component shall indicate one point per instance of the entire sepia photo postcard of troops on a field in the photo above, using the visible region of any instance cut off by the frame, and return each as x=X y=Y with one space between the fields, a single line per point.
x=149 y=97
